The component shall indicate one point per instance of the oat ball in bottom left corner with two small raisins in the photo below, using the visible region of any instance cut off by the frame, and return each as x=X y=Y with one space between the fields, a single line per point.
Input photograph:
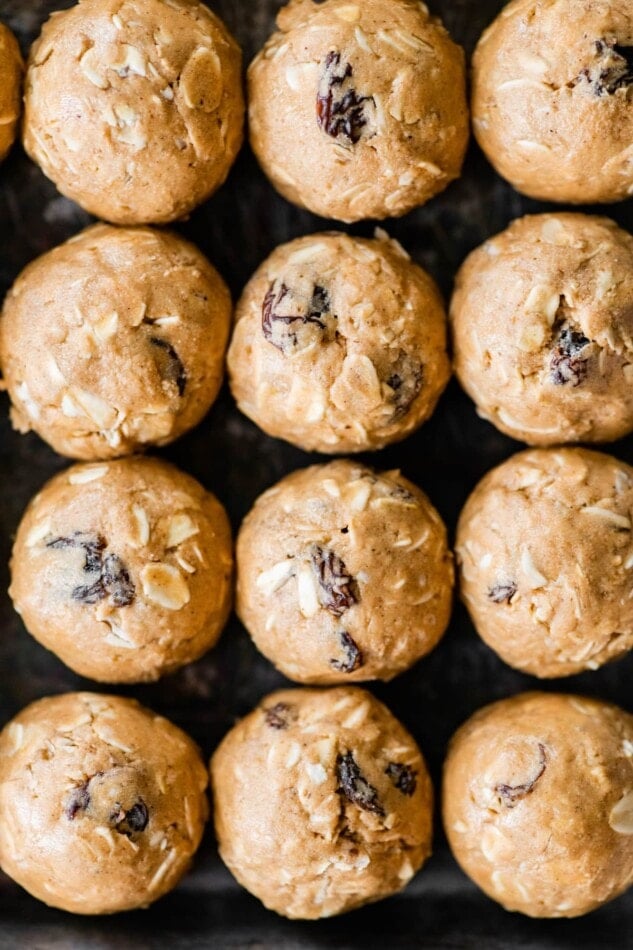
x=102 y=803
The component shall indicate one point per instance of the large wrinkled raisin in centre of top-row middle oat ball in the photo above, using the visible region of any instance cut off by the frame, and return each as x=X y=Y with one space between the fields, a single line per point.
x=341 y=112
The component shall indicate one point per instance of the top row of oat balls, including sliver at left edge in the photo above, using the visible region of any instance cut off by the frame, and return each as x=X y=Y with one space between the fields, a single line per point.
x=357 y=110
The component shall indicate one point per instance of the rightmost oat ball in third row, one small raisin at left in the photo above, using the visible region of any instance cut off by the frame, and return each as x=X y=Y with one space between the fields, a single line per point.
x=545 y=549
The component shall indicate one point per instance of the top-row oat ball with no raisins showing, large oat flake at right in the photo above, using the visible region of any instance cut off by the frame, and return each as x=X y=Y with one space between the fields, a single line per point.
x=134 y=108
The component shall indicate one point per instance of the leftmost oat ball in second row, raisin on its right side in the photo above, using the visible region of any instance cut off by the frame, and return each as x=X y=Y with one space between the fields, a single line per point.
x=114 y=341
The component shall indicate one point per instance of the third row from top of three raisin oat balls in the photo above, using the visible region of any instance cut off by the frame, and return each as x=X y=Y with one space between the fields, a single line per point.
x=124 y=569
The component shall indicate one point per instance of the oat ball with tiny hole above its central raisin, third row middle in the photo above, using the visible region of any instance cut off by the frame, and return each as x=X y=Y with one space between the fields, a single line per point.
x=344 y=574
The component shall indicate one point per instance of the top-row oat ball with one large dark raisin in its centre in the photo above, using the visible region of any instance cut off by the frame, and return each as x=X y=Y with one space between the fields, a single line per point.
x=358 y=110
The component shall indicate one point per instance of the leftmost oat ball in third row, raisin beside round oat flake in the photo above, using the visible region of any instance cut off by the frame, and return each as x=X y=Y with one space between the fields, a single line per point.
x=123 y=569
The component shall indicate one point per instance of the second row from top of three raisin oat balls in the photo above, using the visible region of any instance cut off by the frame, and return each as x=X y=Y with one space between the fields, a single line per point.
x=115 y=340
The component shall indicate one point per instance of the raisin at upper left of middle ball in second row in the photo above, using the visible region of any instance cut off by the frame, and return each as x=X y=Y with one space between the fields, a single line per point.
x=292 y=322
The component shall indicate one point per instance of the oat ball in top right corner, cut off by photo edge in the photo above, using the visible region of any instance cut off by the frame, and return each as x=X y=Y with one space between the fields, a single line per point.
x=551 y=98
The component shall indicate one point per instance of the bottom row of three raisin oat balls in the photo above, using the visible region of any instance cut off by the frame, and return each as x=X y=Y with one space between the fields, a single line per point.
x=322 y=802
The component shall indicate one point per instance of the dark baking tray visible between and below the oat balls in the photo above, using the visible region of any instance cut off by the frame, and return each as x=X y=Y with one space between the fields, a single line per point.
x=228 y=454
